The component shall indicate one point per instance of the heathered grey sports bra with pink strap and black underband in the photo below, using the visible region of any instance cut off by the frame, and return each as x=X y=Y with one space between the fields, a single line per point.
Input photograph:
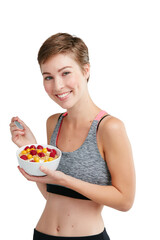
x=85 y=163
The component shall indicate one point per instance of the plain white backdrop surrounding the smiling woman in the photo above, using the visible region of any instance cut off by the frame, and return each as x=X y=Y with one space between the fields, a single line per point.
x=124 y=45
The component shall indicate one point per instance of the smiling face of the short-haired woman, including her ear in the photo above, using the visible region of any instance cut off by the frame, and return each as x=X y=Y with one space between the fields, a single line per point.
x=64 y=80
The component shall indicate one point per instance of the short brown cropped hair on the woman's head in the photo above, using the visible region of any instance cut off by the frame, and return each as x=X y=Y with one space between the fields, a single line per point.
x=64 y=43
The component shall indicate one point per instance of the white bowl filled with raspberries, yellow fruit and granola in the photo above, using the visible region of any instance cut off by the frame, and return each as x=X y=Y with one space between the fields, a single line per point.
x=31 y=157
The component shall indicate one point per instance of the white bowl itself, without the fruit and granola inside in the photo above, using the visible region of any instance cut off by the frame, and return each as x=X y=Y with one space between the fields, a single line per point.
x=32 y=168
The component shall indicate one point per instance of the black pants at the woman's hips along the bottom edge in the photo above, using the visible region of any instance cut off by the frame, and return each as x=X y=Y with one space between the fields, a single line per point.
x=41 y=236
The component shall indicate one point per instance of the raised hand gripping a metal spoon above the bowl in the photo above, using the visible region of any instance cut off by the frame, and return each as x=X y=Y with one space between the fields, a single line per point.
x=23 y=136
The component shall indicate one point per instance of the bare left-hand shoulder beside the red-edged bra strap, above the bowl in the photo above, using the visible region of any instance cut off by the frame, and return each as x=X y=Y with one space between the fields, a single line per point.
x=50 y=125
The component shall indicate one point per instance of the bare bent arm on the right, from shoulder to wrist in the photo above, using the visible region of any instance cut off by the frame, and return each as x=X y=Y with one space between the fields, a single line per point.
x=118 y=155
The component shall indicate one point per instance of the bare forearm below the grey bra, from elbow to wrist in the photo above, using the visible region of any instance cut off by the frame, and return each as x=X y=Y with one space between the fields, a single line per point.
x=104 y=195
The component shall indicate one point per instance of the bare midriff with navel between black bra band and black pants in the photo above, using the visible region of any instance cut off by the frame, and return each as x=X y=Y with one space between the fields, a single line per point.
x=65 y=216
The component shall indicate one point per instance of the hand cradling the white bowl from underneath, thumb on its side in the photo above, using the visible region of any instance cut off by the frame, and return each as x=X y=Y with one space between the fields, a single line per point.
x=51 y=177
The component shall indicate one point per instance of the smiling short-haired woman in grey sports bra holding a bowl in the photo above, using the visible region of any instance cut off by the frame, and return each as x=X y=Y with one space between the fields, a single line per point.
x=96 y=167
